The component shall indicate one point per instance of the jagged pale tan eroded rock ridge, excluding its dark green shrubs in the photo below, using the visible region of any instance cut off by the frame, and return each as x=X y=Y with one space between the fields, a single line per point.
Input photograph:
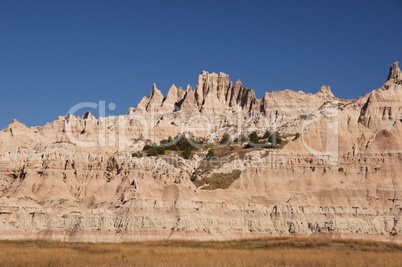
x=77 y=179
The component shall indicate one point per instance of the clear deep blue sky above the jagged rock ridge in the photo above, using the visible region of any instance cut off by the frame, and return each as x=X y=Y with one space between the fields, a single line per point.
x=55 y=54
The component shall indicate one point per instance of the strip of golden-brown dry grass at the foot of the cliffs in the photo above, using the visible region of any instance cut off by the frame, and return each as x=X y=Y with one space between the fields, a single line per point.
x=280 y=251
